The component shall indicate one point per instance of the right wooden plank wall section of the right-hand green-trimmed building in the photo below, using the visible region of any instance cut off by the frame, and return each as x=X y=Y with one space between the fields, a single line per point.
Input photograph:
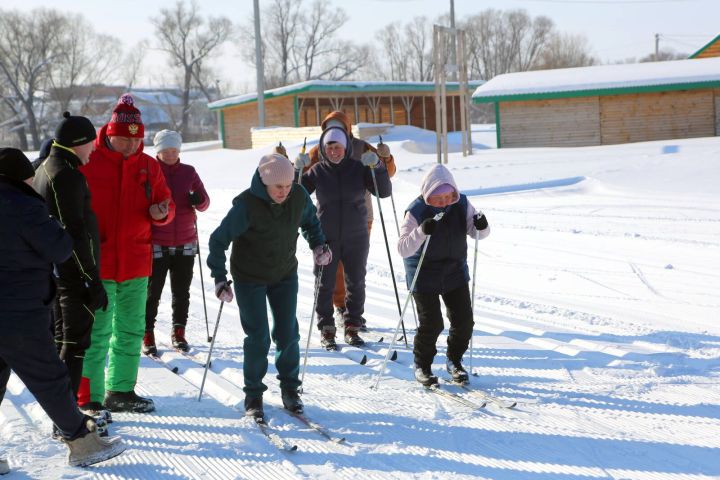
x=657 y=116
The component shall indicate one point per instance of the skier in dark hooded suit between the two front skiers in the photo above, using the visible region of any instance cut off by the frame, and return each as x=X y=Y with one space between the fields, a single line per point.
x=340 y=183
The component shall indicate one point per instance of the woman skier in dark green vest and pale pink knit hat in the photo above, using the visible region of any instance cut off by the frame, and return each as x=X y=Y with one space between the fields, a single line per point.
x=262 y=226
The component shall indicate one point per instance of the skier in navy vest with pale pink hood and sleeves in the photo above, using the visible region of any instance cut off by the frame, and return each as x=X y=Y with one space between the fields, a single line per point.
x=443 y=272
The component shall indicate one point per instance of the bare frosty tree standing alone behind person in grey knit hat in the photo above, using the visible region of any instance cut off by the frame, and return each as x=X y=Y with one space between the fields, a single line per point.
x=189 y=39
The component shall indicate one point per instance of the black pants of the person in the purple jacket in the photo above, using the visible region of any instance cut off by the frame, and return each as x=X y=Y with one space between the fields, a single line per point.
x=181 y=271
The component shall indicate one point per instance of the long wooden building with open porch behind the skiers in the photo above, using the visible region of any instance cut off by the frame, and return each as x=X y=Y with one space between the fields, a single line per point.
x=306 y=104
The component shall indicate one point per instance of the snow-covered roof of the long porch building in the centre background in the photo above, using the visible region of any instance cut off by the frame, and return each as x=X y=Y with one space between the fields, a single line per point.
x=332 y=86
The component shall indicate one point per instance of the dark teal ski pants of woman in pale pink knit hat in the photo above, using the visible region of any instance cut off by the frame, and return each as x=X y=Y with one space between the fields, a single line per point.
x=282 y=297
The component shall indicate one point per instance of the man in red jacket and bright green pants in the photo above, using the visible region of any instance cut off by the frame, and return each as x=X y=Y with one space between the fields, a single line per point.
x=129 y=195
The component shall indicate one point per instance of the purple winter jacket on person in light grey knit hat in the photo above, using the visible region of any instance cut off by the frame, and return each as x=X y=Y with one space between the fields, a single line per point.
x=181 y=179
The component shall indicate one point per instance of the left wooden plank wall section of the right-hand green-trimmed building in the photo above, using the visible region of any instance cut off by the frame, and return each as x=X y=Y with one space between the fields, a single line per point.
x=565 y=122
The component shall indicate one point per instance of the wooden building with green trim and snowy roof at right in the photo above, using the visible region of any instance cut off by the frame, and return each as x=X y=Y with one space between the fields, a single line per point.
x=606 y=104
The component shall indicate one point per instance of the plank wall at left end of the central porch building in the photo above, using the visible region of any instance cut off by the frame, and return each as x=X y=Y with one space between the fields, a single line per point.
x=239 y=120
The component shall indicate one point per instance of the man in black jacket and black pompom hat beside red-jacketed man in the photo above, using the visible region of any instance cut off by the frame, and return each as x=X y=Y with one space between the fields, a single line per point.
x=80 y=291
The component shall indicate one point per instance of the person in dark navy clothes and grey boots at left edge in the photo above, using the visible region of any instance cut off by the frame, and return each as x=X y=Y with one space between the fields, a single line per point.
x=30 y=242
